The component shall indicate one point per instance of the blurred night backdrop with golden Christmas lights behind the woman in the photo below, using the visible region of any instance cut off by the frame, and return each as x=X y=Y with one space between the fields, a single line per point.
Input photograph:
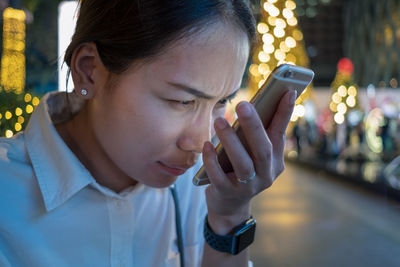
x=337 y=203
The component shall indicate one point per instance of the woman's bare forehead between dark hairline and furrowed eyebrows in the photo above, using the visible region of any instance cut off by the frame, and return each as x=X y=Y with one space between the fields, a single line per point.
x=213 y=58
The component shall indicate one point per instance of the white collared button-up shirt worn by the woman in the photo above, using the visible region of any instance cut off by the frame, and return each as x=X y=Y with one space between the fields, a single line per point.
x=53 y=212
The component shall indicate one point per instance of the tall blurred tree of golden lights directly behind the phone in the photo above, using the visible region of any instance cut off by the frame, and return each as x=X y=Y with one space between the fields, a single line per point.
x=281 y=42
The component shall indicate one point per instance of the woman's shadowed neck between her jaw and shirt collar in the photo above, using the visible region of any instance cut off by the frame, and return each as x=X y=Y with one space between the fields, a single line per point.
x=79 y=136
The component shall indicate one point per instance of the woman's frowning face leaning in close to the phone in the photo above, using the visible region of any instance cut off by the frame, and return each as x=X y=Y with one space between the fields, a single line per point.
x=153 y=121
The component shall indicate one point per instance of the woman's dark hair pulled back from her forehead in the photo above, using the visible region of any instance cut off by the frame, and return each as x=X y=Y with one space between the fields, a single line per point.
x=128 y=30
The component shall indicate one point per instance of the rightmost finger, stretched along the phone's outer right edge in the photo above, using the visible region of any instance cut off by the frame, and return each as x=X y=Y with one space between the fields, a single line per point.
x=277 y=129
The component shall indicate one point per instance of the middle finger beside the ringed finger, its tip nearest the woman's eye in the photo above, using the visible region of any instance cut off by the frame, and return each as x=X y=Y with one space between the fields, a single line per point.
x=258 y=142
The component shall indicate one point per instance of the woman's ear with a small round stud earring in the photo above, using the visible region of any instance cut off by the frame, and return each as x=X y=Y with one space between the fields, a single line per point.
x=86 y=66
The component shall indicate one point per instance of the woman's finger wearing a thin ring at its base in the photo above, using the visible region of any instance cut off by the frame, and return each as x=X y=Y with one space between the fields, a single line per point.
x=241 y=161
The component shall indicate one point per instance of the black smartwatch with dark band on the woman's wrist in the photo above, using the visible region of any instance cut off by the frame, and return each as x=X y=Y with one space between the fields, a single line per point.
x=239 y=238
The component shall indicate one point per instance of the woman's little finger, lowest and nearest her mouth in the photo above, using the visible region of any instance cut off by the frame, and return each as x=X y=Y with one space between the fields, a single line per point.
x=214 y=172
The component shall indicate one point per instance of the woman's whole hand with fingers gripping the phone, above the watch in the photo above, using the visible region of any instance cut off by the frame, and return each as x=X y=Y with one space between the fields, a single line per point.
x=228 y=200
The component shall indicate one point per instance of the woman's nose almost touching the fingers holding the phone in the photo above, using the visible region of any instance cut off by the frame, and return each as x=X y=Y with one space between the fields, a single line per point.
x=196 y=133
